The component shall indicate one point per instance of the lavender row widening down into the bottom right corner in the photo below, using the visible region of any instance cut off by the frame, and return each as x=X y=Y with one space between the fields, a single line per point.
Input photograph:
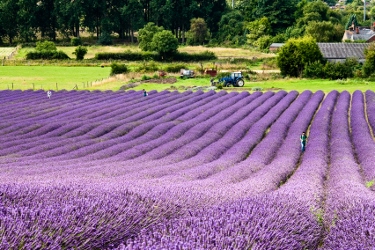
x=348 y=199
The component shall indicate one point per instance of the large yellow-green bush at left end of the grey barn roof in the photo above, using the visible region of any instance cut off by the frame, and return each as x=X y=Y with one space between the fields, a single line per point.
x=296 y=54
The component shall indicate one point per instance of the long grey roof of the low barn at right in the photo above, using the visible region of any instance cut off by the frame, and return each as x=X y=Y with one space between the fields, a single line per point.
x=343 y=50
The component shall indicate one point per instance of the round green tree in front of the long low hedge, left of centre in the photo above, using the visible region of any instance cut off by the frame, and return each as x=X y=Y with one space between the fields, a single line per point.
x=165 y=43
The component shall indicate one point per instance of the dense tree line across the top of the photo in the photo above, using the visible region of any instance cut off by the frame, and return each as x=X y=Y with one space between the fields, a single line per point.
x=254 y=22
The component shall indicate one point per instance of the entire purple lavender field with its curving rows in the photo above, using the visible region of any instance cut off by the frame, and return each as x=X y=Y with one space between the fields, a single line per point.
x=191 y=170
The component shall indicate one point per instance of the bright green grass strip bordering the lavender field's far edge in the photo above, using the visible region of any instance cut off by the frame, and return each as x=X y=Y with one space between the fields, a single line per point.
x=97 y=78
